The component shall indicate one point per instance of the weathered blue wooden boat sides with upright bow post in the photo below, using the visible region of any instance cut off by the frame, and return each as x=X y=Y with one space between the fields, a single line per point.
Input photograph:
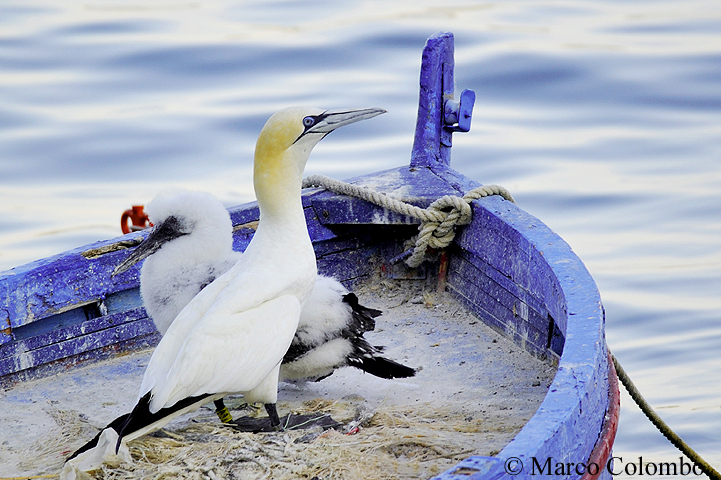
x=507 y=266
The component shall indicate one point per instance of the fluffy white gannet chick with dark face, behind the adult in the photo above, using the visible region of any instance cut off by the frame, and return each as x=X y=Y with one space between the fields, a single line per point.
x=189 y=246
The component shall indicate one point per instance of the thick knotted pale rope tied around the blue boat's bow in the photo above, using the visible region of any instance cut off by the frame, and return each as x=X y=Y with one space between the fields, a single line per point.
x=438 y=221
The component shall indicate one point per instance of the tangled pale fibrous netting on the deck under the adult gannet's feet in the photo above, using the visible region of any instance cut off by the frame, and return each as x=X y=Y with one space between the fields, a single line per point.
x=398 y=442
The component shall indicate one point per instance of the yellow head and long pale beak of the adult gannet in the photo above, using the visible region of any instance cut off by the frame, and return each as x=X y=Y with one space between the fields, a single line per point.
x=285 y=143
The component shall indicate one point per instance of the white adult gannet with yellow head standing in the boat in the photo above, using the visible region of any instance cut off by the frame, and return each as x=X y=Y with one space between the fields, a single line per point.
x=232 y=336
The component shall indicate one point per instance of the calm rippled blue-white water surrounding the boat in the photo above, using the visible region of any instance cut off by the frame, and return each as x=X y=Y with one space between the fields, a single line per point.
x=603 y=118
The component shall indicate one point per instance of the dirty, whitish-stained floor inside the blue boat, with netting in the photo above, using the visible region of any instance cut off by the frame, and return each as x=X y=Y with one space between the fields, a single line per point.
x=473 y=391
